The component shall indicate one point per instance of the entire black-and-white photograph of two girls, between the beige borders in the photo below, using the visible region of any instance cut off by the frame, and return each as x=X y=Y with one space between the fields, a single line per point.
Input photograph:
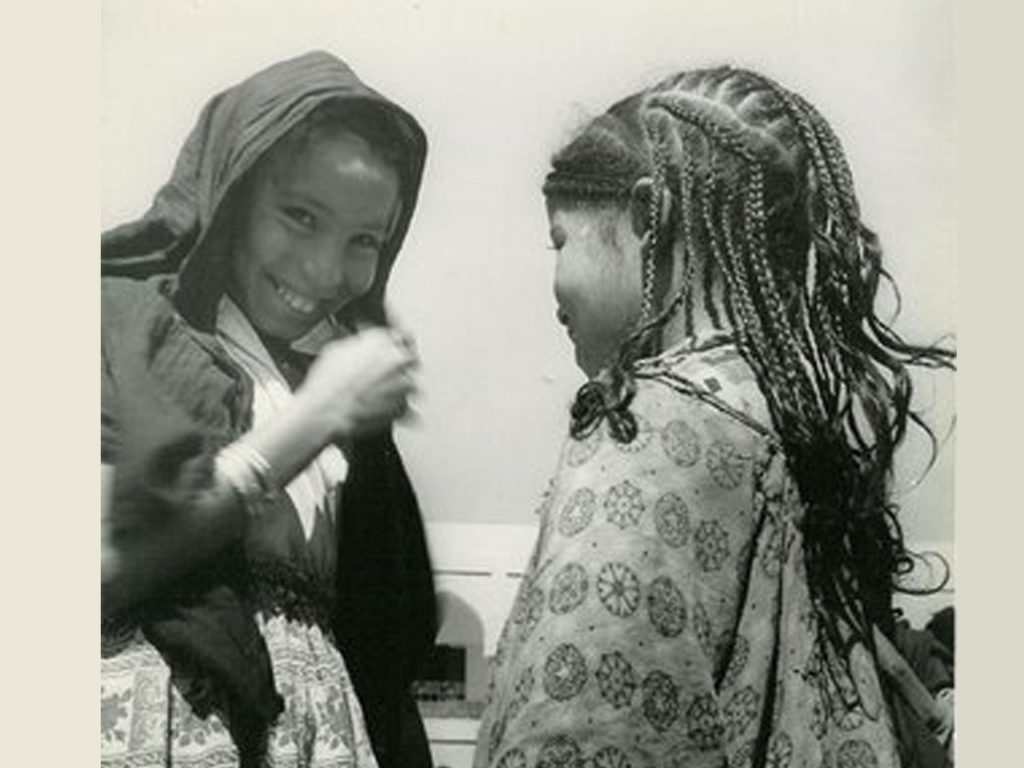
x=528 y=385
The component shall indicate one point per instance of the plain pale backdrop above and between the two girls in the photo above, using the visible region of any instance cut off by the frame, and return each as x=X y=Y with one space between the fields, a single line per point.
x=499 y=87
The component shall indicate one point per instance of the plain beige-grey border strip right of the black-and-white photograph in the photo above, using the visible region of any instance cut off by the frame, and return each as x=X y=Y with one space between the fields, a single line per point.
x=989 y=535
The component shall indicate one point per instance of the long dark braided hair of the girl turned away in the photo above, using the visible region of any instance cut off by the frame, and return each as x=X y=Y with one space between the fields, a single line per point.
x=764 y=216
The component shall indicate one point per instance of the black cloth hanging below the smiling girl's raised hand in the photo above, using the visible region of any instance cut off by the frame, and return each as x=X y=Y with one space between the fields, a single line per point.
x=387 y=619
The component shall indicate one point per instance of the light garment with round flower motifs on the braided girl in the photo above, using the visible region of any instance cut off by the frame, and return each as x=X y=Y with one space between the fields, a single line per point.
x=664 y=619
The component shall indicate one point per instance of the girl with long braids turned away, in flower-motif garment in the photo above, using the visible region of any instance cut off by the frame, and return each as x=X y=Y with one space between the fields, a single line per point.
x=718 y=548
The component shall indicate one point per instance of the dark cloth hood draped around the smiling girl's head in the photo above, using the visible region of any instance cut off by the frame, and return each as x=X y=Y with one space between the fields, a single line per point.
x=237 y=129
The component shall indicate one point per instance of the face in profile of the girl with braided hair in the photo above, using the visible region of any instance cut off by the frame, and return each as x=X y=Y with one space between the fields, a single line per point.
x=599 y=283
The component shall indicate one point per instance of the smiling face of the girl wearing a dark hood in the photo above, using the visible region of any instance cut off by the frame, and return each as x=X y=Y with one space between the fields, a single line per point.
x=313 y=233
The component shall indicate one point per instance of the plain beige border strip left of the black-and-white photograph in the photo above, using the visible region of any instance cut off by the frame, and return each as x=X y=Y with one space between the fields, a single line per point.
x=52 y=324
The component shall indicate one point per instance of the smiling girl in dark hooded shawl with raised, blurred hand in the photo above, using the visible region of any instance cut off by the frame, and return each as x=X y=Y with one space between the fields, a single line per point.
x=267 y=594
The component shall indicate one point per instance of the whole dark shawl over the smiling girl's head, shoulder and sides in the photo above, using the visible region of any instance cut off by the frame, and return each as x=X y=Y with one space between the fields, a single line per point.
x=163 y=445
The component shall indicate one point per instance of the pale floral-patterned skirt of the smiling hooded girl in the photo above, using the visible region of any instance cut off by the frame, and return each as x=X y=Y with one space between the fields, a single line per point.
x=146 y=722
